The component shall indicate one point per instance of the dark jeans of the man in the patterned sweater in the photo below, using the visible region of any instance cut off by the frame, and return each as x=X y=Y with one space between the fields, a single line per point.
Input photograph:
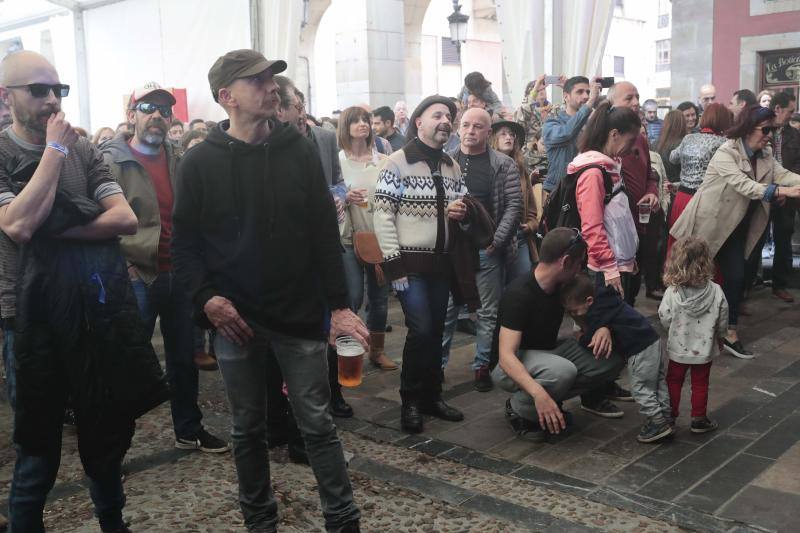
x=425 y=306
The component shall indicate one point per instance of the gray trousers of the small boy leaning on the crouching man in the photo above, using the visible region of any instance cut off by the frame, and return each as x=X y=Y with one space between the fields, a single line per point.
x=649 y=384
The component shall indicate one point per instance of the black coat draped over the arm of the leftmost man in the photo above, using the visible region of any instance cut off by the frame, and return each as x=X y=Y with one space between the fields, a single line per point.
x=78 y=334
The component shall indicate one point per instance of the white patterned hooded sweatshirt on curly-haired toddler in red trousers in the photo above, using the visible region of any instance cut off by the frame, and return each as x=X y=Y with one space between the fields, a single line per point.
x=695 y=317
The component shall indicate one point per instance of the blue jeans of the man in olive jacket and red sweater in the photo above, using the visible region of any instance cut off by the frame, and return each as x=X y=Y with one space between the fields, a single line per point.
x=166 y=299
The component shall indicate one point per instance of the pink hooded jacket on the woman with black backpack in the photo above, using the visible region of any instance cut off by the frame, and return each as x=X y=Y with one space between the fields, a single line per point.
x=604 y=236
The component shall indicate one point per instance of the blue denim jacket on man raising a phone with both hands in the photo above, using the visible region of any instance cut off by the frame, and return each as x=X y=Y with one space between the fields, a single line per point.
x=560 y=136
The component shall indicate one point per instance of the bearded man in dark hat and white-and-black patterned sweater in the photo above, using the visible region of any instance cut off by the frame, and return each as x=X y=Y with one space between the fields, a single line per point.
x=417 y=191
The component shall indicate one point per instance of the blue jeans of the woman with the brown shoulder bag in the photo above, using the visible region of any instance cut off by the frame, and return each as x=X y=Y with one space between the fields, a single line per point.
x=378 y=296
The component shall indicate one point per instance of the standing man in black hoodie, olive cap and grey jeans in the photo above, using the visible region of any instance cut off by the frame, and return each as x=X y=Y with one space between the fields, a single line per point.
x=263 y=273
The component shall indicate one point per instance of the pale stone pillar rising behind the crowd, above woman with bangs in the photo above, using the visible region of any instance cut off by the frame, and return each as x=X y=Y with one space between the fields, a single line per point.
x=370 y=59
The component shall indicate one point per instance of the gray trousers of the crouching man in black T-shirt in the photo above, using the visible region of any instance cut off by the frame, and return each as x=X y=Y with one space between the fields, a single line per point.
x=565 y=372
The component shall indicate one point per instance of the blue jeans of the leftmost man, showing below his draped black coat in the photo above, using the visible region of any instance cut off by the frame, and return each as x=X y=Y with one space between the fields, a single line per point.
x=35 y=475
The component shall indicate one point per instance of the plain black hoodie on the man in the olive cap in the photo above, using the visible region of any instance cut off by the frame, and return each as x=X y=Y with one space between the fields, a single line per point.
x=257 y=225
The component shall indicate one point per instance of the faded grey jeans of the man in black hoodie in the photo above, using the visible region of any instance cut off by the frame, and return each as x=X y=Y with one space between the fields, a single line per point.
x=305 y=369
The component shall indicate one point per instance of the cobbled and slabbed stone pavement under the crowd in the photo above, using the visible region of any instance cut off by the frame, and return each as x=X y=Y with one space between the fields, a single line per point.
x=476 y=475
